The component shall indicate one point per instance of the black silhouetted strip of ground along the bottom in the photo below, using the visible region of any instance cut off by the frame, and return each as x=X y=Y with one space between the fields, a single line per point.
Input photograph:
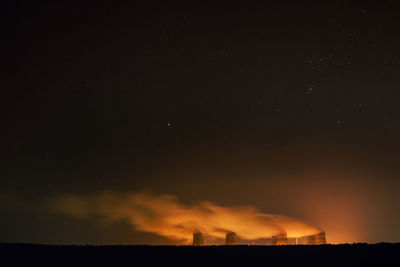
x=383 y=254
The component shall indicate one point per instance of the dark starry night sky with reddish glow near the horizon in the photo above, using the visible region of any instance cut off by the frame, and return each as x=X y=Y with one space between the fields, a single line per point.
x=289 y=106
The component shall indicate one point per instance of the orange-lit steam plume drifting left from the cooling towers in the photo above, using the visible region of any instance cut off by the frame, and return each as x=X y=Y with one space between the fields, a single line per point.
x=165 y=216
